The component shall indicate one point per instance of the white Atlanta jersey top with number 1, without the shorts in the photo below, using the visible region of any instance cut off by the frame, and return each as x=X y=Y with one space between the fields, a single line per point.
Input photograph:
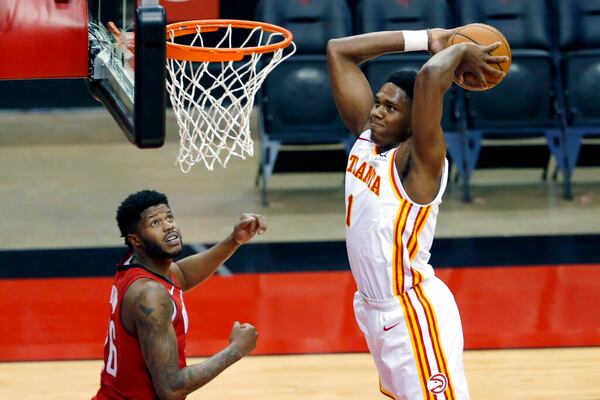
x=388 y=236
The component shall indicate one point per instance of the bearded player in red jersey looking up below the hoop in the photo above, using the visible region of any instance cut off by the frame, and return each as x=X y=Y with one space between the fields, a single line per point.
x=144 y=353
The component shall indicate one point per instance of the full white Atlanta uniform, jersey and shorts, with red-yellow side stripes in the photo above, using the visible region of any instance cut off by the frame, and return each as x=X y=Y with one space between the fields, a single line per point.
x=408 y=316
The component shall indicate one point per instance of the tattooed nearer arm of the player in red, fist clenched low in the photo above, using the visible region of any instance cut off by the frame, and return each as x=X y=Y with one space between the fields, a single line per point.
x=152 y=309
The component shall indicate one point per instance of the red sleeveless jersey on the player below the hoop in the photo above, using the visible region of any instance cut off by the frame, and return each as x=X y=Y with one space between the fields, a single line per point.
x=125 y=374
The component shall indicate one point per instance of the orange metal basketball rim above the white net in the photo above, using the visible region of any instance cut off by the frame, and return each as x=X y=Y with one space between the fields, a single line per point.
x=202 y=54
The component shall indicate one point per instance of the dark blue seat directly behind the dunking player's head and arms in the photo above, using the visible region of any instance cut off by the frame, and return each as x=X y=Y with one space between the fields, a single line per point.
x=384 y=15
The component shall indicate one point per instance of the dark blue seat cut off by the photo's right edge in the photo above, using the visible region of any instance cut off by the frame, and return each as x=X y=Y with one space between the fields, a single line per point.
x=579 y=40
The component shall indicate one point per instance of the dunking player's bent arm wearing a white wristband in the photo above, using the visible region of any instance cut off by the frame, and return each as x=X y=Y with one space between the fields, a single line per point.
x=351 y=91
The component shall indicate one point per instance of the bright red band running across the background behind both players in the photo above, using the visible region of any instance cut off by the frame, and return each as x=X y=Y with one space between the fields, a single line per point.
x=508 y=307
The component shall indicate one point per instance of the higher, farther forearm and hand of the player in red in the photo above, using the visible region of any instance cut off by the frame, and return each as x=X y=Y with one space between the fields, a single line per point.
x=193 y=270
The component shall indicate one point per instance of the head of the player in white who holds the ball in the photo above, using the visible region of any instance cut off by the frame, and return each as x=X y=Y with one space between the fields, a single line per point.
x=391 y=114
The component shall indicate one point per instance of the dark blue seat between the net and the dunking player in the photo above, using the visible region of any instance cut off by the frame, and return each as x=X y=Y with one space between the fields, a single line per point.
x=297 y=104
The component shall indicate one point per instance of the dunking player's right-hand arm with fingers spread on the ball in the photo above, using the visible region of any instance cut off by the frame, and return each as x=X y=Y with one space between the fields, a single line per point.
x=433 y=80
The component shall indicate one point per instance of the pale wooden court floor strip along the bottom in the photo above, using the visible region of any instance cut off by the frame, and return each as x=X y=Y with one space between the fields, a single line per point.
x=569 y=374
